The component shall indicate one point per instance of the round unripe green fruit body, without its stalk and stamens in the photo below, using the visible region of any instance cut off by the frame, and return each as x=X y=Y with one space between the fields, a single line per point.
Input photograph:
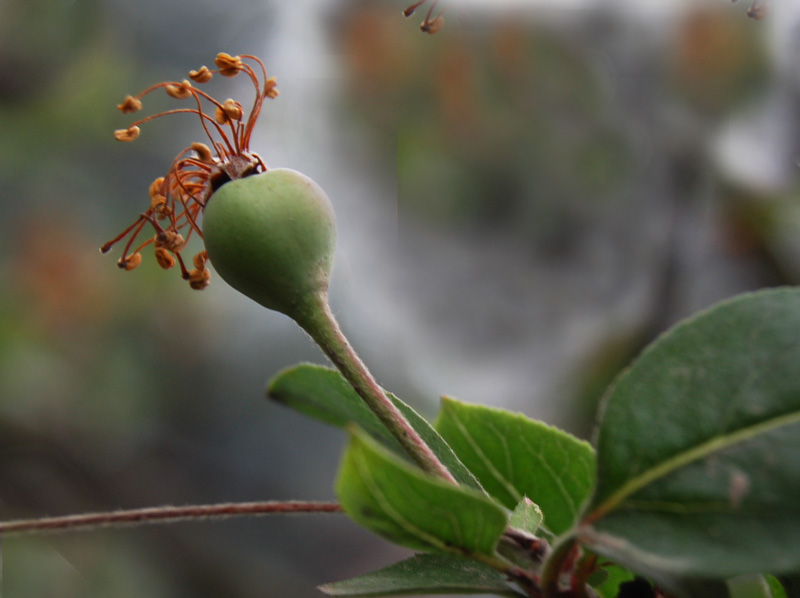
x=271 y=236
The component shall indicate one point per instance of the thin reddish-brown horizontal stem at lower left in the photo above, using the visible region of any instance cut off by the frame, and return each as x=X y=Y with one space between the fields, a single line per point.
x=167 y=514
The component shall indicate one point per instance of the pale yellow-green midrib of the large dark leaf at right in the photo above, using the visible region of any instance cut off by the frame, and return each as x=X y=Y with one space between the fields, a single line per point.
x=717 y=443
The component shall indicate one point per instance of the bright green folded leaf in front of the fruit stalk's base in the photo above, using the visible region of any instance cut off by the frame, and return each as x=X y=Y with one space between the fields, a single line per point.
x=398 y=501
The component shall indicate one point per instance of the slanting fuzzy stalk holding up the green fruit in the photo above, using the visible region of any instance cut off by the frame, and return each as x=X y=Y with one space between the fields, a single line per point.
x=317 y=320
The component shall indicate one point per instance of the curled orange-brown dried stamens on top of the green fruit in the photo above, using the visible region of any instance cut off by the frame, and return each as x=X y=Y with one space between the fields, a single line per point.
x=178 y=198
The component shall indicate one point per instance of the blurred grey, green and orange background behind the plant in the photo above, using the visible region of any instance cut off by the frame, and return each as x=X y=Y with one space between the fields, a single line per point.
x=524 y=201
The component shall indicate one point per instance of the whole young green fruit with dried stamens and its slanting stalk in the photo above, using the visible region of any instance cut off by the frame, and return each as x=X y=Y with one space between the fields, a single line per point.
x=270 y=233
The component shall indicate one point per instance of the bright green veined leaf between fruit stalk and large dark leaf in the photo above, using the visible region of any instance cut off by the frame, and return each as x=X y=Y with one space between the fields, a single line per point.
x=513 y=457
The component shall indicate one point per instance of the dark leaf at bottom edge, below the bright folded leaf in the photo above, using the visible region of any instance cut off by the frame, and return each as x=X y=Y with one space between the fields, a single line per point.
x=425 y=574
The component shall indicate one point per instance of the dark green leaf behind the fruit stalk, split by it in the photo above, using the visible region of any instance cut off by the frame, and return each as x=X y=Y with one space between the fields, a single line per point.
x=323 y=394
